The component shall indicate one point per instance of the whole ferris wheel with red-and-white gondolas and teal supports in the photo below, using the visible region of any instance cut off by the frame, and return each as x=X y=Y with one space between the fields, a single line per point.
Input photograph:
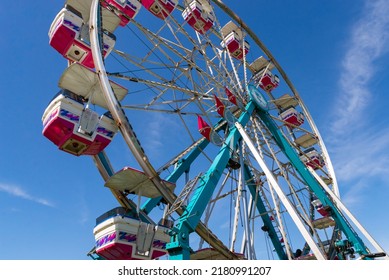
x=238 y=169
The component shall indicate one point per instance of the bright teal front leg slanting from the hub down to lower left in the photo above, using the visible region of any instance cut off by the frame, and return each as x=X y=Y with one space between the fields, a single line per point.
x=179 y=245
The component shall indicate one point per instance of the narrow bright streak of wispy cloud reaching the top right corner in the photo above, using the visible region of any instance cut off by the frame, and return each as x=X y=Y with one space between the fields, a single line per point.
x=368 y=42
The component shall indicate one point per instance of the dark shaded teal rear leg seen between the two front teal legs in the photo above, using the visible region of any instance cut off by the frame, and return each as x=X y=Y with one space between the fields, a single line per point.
x=250 y=183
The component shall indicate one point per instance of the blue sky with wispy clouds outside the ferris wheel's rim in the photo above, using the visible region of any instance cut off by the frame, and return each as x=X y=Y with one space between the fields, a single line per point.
x=335 y=52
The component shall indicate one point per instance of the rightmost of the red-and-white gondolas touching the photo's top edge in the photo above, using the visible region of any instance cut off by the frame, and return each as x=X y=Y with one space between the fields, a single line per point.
x=199 y=15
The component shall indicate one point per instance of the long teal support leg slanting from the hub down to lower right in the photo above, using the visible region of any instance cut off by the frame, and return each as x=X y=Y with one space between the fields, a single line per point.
x=310 y=181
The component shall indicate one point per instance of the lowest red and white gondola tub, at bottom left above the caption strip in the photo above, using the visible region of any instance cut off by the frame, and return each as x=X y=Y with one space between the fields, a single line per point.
x=121 y=236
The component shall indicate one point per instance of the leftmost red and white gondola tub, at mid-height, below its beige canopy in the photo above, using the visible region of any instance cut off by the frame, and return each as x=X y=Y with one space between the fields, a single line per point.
x=74 y=128
